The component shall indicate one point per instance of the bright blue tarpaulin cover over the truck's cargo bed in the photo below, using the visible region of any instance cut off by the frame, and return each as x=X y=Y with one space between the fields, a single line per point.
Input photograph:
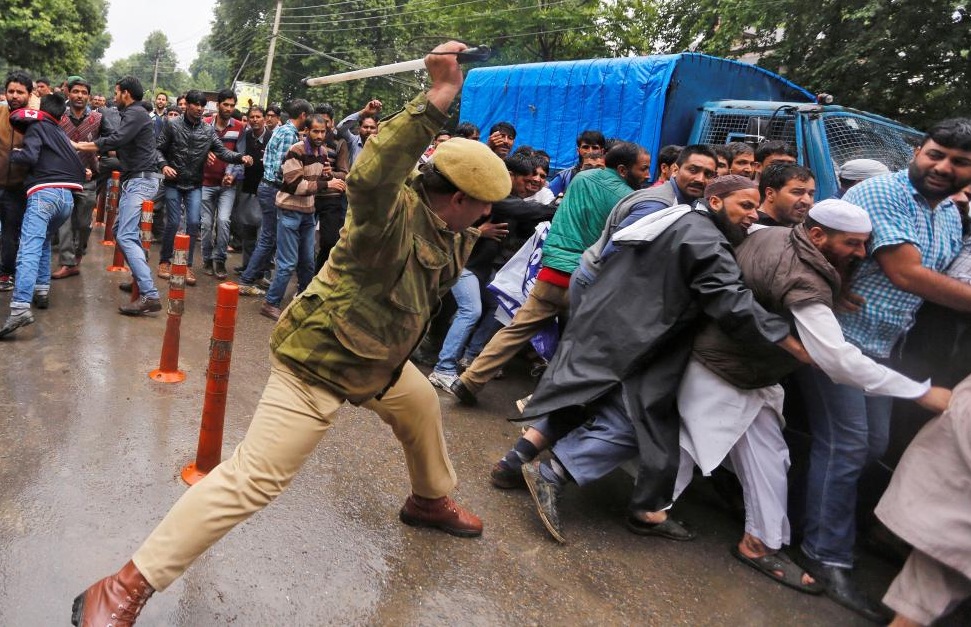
x=649 y=100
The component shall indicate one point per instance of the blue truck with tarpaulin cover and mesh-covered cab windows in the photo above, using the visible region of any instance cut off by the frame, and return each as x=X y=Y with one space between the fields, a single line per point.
x=678 y=99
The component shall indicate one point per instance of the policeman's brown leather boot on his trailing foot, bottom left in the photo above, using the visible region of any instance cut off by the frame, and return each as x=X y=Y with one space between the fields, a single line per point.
x=115 y=600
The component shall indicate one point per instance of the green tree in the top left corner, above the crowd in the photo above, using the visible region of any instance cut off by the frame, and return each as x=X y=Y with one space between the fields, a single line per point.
x=56 y=37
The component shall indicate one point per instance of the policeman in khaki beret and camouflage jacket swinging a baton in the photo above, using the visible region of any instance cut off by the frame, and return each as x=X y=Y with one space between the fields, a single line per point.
x=347 y=337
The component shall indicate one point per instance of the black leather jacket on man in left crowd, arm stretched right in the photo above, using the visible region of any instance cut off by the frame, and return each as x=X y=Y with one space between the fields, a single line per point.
x=184 y=145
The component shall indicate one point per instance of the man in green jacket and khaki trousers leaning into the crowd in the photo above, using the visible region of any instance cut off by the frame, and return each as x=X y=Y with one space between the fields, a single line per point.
x=577 y=224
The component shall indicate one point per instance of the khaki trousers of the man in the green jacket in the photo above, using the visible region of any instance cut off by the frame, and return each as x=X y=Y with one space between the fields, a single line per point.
x=545 y=301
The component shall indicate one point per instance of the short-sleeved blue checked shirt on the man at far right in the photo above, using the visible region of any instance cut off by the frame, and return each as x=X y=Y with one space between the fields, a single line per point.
x=899 y=215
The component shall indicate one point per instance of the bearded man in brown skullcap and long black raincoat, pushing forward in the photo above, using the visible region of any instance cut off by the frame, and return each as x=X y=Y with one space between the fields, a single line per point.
x=619 y=362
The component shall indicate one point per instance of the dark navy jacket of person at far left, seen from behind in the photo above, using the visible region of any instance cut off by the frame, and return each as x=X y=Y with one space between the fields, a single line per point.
x=48 y=153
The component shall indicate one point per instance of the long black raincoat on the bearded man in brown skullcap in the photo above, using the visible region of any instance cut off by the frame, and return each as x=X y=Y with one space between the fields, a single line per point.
x=634 y=328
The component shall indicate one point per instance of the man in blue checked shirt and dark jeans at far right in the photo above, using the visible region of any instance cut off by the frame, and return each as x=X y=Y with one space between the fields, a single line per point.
x=916 y=235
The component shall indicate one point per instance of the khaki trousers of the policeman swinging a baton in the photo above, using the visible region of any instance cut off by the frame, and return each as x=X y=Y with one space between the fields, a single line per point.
x=290 y=420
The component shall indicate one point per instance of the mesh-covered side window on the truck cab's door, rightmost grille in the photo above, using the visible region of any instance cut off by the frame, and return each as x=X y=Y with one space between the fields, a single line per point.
x=853 y=137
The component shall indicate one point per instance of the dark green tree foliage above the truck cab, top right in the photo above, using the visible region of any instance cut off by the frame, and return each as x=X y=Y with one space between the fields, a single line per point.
x=906 y=60
